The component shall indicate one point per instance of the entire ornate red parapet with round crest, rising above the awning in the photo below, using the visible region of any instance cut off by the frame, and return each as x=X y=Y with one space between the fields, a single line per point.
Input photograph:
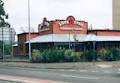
x=70 y=25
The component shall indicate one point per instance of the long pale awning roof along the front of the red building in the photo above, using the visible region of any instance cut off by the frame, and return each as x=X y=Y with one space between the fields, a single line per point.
x=72 y=38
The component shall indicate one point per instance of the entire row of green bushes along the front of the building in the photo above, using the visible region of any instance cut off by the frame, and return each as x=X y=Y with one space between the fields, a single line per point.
x=68 y=55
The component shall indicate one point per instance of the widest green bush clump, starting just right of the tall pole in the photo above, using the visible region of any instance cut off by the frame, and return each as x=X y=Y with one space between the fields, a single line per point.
x=54 y=55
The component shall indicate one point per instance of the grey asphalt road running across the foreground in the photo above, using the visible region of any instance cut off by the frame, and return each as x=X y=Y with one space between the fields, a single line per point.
x=105 y=74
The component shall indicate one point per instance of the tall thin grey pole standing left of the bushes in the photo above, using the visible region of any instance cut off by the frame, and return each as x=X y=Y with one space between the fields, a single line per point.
x=29 y=29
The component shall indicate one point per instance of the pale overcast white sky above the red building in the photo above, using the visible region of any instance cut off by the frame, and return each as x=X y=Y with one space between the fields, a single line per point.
x=95 y=12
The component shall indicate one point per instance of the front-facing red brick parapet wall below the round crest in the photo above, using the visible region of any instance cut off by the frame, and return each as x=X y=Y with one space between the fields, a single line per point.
x=57 y=29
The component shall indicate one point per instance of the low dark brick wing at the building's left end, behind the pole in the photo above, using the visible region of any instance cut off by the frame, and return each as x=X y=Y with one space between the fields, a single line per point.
x=21 y=47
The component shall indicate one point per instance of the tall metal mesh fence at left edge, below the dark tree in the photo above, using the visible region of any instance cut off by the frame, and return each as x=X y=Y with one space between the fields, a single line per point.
x=7 y=38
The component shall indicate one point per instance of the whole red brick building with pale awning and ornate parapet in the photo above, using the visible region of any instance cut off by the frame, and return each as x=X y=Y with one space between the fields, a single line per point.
x=69 y=33
